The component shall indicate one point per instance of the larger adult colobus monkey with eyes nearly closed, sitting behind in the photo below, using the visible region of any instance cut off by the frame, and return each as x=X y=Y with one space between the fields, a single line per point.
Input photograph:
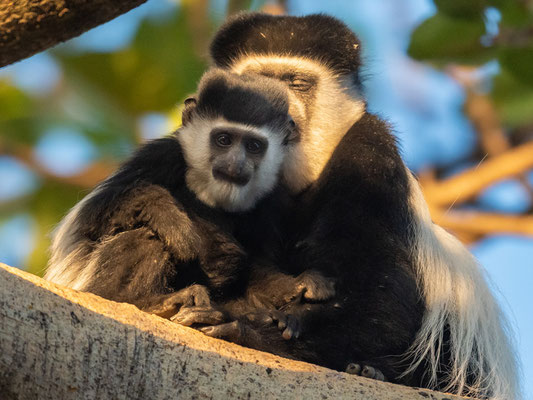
x=411 y=300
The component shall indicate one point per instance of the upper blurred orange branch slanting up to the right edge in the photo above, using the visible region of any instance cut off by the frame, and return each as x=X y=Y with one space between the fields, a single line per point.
x=467 y=184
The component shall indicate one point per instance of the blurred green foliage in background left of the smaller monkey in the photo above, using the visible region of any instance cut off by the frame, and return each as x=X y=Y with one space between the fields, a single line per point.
x=102 y=96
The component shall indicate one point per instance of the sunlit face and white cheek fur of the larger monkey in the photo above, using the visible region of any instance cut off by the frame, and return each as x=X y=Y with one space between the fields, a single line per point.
x=323 y=104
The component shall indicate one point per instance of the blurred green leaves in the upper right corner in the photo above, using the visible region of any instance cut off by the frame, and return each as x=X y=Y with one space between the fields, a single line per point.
x=465 y=32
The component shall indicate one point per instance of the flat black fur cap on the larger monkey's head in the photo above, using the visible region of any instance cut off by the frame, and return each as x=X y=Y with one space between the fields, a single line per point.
x=318 y=37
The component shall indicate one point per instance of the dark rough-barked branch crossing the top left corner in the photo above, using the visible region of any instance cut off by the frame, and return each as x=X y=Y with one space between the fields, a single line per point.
x=30 y=26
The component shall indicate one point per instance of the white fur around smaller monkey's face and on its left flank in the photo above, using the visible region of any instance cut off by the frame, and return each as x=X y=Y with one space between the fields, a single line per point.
x=72 y=261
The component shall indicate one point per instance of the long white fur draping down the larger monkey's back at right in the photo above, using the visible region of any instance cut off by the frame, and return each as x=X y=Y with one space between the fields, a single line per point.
x=456 y=294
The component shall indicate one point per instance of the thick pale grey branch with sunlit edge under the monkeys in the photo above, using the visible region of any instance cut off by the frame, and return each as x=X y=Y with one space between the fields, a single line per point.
x=57 y=343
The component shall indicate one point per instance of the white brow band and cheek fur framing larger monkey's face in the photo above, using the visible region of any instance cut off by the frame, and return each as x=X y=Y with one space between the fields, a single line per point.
x=337 y=107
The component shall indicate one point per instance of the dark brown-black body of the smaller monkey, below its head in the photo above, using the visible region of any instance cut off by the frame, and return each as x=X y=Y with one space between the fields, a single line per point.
x=153 y=237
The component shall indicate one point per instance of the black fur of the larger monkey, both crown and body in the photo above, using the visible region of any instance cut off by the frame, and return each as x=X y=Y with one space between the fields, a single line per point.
x=352 y=224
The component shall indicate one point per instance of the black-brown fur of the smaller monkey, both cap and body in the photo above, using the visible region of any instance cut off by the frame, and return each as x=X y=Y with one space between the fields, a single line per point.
x=154 y=244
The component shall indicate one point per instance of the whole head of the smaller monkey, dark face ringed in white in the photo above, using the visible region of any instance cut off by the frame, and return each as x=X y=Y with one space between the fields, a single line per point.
x=236 y=134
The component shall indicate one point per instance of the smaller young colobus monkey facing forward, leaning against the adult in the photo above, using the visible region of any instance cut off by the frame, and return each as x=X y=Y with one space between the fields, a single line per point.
x=185 y=216
